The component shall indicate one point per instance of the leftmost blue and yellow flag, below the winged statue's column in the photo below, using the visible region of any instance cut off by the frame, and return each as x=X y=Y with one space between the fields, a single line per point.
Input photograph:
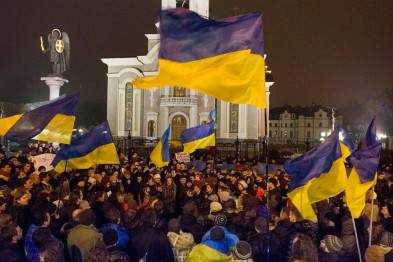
x=51 y=122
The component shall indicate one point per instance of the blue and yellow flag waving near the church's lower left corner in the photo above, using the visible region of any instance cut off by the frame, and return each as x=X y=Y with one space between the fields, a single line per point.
x=94 y=148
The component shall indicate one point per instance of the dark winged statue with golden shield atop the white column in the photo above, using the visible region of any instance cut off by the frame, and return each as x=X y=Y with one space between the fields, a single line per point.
x=58 y=51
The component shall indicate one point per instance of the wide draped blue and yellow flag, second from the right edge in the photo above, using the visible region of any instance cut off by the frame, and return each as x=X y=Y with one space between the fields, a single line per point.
x=317 y=175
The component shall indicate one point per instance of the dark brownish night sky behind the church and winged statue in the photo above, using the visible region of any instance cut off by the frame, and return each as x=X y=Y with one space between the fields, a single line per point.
x=335 y=52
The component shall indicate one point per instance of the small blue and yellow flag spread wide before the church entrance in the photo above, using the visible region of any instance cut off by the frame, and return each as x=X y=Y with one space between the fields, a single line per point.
x=198 y=137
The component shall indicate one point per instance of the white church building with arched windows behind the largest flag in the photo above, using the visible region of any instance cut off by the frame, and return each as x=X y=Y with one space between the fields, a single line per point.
x=147 y=113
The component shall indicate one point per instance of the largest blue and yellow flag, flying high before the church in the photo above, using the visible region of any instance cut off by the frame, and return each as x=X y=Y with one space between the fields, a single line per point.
x=220 y=58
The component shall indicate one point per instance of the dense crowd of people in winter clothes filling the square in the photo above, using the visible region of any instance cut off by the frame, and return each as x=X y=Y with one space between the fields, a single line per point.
x=205 y=210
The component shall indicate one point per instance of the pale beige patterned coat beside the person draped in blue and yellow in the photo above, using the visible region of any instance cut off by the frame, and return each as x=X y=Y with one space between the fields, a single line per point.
x=182 y=244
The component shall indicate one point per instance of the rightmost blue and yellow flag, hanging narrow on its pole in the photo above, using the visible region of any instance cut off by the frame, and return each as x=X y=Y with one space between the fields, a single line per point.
x=365 y=163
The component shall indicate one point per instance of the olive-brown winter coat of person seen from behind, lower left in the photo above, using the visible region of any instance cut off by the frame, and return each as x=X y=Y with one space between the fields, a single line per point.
x=83 y=237
